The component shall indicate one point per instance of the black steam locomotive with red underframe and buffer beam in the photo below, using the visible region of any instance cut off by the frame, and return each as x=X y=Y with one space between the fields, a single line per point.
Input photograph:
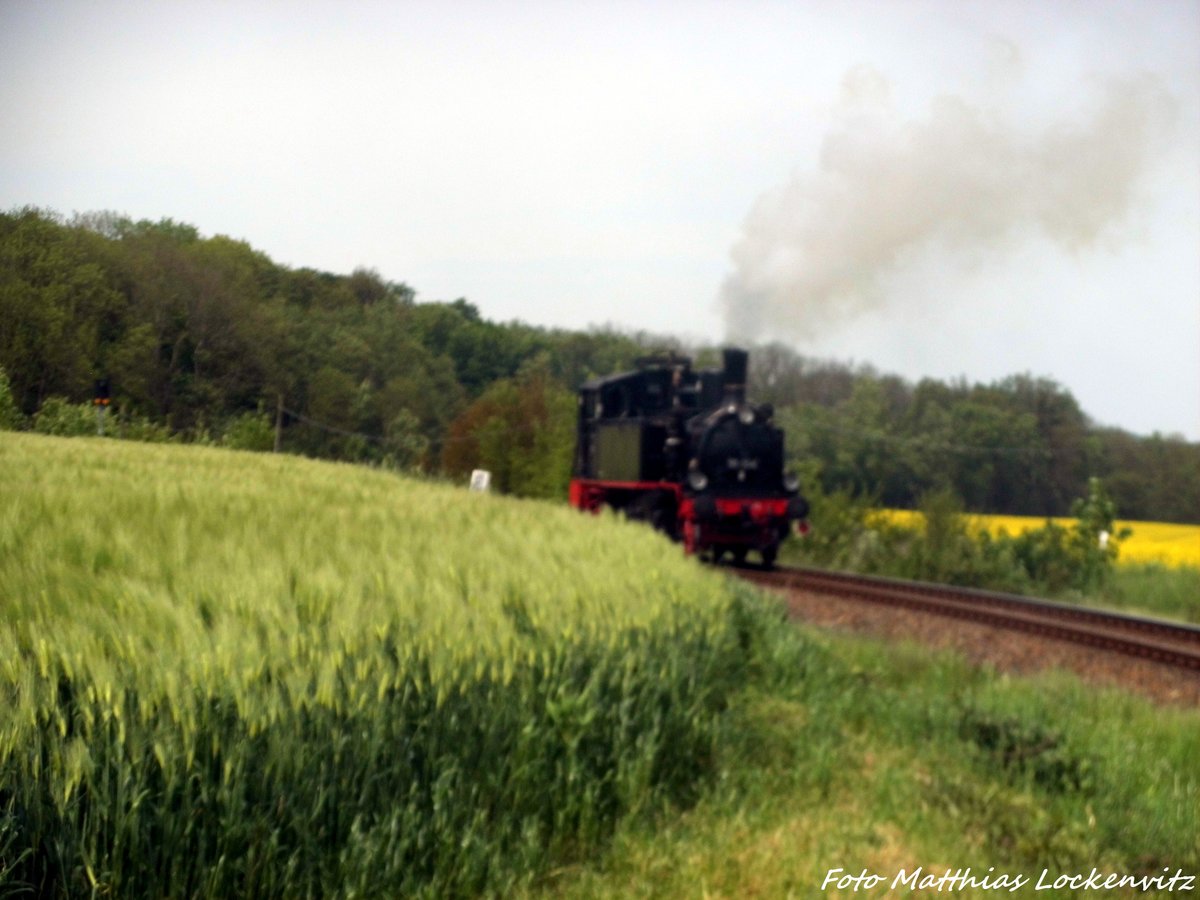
x=683 y=451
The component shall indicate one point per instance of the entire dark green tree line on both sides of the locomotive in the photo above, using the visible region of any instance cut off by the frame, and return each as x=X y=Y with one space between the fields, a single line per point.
x=208 y=340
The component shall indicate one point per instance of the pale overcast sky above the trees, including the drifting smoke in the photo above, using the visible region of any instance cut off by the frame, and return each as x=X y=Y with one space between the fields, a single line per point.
x=935 y=188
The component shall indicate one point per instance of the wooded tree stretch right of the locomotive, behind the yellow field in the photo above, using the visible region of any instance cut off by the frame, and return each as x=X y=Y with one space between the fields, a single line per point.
x=1021 y=446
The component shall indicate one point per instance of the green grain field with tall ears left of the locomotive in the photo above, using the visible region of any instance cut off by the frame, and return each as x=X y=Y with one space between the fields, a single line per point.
x=235 y=675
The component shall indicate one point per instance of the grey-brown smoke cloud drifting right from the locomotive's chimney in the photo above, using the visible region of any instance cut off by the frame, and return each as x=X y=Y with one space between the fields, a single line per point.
x=957 y=188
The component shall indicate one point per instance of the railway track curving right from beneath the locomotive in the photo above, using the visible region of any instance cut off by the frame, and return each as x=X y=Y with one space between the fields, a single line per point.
x=1174 y=645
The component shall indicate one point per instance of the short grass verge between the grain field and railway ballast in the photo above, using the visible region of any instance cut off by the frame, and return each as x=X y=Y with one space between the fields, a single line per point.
x=849 y=754
